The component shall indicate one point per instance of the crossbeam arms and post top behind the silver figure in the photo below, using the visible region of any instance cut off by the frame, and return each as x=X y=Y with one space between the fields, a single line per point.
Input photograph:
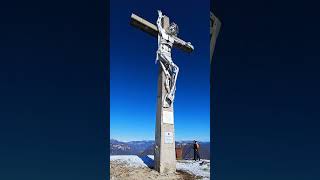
x=152 y=29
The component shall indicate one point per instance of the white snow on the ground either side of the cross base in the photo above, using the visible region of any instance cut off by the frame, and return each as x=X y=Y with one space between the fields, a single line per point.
x=197 y=168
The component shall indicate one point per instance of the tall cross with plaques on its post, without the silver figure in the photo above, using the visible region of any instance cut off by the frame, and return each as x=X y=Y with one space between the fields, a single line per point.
x=164 y=153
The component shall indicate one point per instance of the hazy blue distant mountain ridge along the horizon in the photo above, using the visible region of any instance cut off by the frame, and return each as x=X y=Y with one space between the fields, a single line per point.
x=146 y=147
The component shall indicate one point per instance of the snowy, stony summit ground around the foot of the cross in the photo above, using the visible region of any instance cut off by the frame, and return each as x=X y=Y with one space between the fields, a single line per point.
x=131 y=167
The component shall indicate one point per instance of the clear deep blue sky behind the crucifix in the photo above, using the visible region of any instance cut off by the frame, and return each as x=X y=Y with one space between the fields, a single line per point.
x=133 y=74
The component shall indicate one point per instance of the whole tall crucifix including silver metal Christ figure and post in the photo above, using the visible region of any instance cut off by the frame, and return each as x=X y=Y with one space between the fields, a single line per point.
x=166 y=32
